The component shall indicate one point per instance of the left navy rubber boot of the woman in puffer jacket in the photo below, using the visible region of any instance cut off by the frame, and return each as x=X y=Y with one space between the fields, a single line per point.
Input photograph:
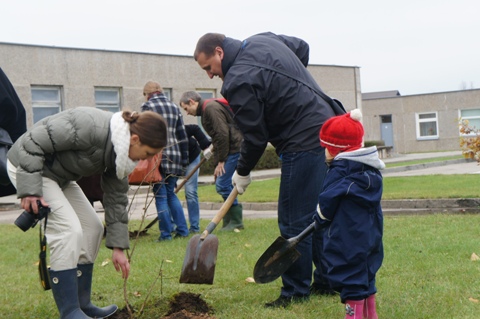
x=65 y=292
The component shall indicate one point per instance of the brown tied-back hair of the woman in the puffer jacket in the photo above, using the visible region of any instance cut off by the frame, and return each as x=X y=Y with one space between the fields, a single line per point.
x=150 y=127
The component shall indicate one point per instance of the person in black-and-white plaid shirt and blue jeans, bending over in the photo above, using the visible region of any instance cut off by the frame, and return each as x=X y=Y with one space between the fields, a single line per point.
x=173 y=165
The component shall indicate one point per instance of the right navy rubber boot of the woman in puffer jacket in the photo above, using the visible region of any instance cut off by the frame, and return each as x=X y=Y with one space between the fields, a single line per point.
x=84 y=275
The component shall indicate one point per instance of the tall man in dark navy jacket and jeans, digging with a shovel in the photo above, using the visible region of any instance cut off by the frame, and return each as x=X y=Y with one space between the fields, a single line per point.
x=276 y=100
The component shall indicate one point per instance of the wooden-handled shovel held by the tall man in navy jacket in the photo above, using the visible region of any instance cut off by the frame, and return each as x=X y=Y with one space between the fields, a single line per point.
x=201 y=257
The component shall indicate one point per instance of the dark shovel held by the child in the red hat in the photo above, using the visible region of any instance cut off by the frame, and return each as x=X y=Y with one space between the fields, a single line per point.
x=279 y=257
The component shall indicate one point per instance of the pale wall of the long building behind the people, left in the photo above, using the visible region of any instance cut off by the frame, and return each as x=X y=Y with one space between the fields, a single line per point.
x=79 y=71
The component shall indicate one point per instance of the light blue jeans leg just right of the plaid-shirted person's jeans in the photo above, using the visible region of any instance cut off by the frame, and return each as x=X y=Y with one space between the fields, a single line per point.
x=191 y=196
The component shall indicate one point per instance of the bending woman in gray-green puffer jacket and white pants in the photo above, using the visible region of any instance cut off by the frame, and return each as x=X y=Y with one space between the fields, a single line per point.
x=44 y=164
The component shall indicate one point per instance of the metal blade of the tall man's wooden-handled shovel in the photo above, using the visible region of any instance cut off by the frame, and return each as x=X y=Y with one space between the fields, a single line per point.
x=200 y=259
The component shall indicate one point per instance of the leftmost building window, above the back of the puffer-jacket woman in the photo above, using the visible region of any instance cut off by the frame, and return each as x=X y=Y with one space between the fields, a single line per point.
x=46 y=101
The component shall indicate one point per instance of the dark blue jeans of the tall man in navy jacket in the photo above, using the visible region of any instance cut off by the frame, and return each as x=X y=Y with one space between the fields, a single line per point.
x=302 y=176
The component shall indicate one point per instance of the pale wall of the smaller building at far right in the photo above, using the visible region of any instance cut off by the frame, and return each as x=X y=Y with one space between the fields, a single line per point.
x=404 y=109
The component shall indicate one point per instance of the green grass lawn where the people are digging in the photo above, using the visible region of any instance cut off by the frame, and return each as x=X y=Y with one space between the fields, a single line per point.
x=427 y=273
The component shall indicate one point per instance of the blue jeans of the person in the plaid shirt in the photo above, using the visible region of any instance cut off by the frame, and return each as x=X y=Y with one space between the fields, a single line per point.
x=168 y=208
